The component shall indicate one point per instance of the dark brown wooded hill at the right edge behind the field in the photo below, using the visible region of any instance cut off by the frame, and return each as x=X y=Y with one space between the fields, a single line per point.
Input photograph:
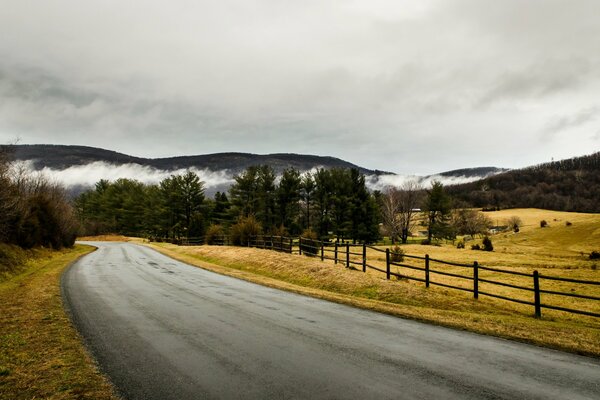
x=566 y=185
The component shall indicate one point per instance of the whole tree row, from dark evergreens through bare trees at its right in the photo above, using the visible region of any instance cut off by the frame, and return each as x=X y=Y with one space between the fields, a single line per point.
x=324 y=204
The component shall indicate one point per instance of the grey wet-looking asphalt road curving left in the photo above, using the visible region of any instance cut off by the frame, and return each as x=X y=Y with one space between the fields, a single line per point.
x=161 y=329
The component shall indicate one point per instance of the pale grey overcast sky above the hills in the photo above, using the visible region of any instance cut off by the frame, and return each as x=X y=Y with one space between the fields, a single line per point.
x=405 y=86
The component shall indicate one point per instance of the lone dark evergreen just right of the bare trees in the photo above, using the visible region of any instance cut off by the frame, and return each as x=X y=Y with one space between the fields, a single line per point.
x=437 y=209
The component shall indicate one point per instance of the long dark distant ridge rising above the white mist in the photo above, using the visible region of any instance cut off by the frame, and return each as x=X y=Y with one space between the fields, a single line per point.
x=62 y=157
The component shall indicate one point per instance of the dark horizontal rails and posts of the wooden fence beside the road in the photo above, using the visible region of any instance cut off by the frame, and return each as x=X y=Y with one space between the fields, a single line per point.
x=348 y=255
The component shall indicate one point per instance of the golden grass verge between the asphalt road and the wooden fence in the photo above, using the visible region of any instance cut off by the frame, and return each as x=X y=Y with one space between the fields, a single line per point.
x=325 y=280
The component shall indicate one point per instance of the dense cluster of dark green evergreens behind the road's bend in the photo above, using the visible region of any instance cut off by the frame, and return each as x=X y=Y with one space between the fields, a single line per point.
x=325 y=203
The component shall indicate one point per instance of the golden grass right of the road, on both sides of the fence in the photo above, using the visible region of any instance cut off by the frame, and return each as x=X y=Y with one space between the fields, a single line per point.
x=555 y=250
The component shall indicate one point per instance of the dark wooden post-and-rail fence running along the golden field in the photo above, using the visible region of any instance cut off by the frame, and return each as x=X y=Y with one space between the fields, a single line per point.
x=513 y=286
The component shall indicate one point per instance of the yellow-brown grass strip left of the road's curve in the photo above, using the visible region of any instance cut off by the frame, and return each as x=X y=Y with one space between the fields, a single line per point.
x=41 y=354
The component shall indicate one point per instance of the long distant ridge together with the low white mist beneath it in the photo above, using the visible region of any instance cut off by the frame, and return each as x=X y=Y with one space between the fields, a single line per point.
x=80 y=167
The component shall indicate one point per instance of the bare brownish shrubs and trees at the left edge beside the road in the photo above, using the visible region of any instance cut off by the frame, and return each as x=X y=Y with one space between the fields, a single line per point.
x=33 y=211
